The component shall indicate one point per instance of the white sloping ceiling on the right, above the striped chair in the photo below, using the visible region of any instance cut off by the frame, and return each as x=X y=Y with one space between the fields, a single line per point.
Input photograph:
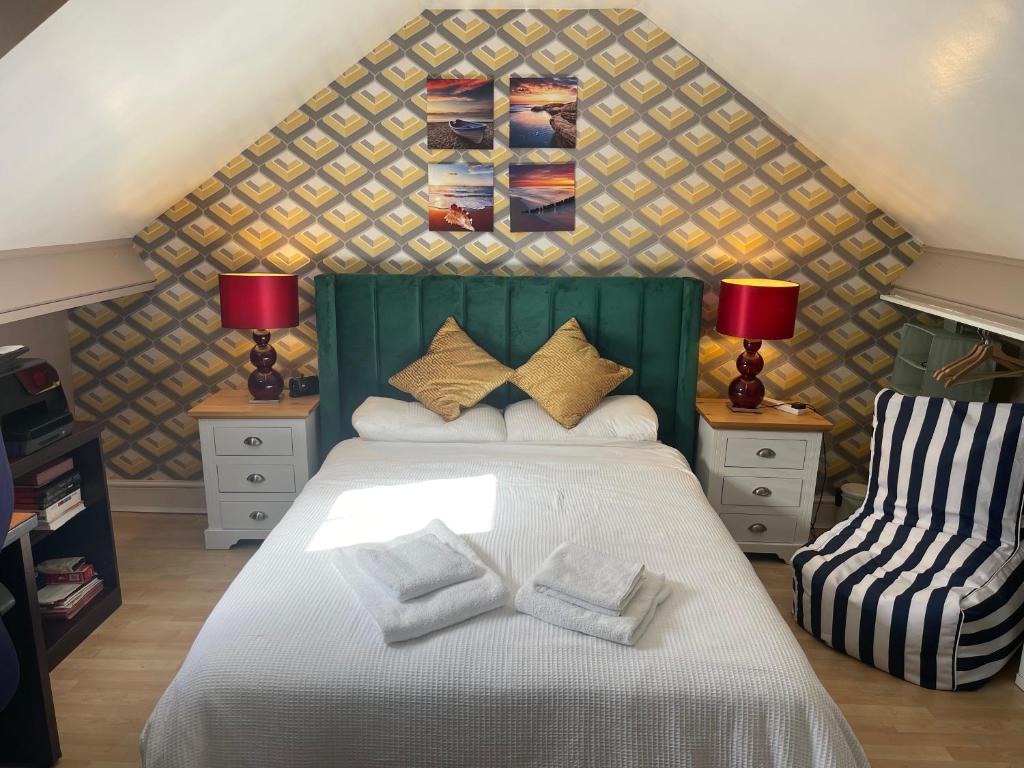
x=918 y=103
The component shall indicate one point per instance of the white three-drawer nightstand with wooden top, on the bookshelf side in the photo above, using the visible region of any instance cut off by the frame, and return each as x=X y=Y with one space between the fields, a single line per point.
x=257 y=458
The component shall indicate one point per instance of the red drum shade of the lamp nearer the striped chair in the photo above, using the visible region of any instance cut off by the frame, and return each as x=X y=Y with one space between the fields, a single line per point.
x=757 y=309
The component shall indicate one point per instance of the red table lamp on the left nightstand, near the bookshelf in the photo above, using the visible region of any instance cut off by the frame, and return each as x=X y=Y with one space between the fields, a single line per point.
x=261 y=302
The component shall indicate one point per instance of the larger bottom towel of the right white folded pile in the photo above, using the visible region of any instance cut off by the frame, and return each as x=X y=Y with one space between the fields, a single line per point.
x=626 y=629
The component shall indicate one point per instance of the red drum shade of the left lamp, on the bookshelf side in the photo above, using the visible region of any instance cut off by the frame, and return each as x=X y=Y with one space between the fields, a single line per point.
x=260 y=301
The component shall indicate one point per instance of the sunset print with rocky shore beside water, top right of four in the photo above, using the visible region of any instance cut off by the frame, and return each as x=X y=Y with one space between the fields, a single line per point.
x=543 y=113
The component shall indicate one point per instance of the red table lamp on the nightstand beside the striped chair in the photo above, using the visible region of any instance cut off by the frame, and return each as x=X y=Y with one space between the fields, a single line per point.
x=754 y=310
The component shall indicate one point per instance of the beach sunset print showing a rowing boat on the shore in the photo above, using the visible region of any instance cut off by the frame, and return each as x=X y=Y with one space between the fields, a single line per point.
x=460 y=114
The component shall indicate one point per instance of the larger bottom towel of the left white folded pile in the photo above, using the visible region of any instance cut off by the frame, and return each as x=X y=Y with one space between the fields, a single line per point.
x=437 y=611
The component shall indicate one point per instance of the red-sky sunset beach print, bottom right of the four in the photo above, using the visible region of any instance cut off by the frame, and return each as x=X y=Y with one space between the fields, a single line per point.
x=542 y=198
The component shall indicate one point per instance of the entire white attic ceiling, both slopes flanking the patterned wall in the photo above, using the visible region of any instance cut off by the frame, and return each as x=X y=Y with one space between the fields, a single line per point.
x=116 y=109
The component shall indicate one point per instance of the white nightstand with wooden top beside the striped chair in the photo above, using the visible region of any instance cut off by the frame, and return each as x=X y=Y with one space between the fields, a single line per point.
x=759 y=473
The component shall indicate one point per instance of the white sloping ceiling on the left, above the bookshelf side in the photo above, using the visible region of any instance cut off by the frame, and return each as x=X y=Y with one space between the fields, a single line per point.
x=115 y=109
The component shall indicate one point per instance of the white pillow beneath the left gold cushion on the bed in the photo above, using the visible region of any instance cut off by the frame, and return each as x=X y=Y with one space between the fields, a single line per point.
x=388 y=419
